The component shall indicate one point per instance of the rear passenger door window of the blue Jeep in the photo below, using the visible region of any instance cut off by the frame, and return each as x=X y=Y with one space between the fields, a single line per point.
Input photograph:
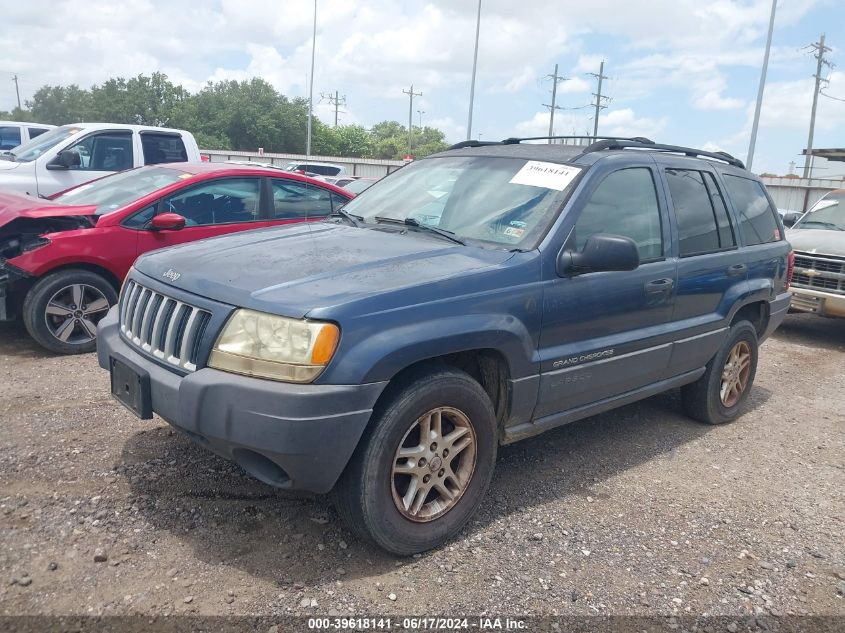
x=703 y=225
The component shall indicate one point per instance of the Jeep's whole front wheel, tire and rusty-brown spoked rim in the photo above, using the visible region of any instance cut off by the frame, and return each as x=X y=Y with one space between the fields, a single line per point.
x=424 y=467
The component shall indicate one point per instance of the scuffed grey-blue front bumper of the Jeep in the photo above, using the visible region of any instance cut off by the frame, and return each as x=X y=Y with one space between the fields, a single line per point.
x=297 y=437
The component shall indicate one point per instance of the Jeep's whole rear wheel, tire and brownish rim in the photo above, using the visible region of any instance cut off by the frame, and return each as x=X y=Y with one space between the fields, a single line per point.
x=719 y=394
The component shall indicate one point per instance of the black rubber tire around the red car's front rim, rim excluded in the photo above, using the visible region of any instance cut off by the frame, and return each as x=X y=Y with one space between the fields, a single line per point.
x=35 y=305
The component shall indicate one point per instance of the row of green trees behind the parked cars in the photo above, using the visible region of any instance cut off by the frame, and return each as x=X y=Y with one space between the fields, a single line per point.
x=232 y=115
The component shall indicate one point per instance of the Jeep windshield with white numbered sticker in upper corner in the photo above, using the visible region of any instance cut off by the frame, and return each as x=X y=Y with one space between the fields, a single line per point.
x=503 y=202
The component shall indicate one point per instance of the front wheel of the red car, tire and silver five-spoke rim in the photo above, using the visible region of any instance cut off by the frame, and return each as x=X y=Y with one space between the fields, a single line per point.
x=61 y=311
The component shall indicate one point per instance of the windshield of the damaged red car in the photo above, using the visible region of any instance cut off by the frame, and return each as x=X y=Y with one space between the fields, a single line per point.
x=117 y=190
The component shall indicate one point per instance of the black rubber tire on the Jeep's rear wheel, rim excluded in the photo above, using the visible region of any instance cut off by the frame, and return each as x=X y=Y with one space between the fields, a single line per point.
x=702 y=400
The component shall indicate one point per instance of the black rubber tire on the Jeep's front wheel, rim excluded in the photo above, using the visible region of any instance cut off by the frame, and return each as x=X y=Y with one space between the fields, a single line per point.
x=364 y=496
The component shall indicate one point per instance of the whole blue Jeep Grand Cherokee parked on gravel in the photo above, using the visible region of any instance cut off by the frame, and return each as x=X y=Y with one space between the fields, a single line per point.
x=476 y=297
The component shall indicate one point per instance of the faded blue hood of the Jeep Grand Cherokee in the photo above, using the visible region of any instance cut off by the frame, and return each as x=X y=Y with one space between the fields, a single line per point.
x=292 y=270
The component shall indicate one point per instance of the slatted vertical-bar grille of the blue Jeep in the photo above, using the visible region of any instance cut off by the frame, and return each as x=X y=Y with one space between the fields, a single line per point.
x=162 y=326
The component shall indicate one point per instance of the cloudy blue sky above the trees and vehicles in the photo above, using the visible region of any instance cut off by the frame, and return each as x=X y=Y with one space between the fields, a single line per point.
x=683 y=72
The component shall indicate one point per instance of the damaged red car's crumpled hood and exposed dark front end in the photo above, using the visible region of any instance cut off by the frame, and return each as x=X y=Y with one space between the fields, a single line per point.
x=24 y=220
